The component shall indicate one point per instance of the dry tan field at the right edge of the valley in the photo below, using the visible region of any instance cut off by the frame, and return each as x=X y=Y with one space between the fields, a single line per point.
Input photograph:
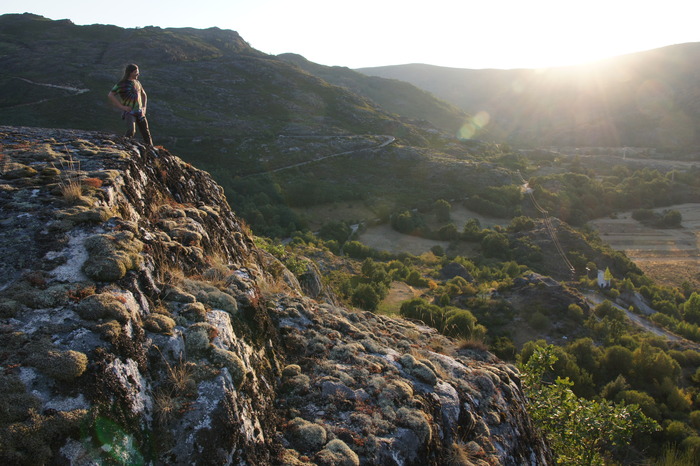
x=670 y=256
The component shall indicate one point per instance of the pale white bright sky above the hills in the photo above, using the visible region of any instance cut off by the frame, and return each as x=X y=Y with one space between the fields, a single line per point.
x=502 y=34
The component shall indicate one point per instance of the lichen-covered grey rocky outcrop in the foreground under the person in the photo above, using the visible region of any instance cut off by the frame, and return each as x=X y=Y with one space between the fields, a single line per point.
x=140 y=324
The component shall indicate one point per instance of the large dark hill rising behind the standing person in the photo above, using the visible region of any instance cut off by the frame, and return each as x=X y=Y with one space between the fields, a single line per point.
x=239 y=114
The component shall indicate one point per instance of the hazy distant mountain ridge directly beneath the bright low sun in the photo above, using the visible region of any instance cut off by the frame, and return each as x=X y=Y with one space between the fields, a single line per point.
x=648 y=99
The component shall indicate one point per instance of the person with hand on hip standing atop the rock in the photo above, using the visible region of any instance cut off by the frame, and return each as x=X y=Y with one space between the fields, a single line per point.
x=129 y=96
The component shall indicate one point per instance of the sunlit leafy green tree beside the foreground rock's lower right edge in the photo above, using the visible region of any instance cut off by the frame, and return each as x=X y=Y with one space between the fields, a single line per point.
x=579 y=430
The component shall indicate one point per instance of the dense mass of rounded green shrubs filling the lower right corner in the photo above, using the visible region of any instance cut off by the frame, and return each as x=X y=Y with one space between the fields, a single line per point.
x=634 y=369
